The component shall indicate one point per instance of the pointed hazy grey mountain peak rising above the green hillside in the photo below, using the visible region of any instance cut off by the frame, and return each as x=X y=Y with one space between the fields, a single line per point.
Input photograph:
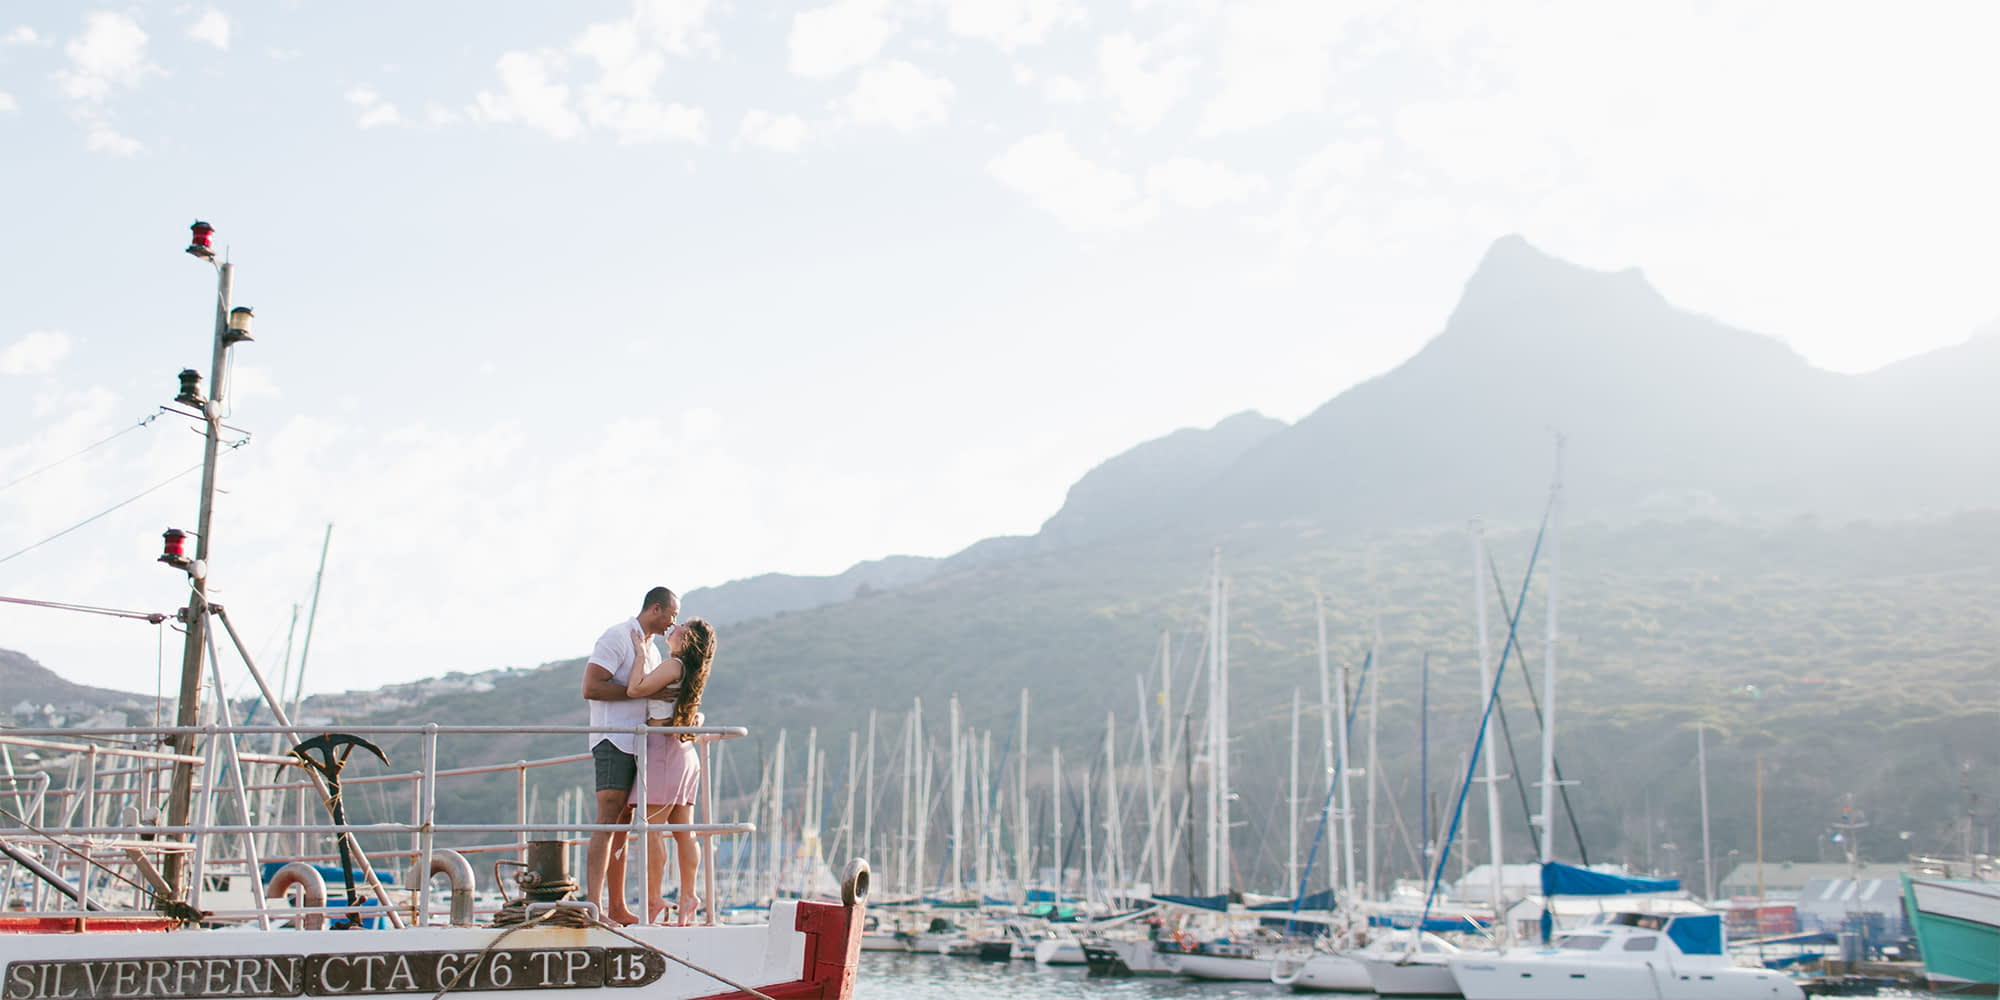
x=1657 y=405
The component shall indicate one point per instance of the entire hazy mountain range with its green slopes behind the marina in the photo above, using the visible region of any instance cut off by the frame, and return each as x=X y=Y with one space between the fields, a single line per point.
x=1793 y=561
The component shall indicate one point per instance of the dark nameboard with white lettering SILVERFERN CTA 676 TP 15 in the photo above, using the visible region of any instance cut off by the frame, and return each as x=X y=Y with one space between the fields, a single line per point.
x=329 y=975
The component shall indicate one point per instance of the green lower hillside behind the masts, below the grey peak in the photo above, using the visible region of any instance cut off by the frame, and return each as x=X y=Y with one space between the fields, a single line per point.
x=1857 y=659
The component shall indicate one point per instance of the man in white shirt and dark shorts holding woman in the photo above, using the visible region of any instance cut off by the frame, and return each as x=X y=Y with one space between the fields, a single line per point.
x=613 y=717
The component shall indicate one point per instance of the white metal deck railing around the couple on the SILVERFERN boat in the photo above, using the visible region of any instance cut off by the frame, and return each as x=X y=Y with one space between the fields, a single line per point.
x=51 y=813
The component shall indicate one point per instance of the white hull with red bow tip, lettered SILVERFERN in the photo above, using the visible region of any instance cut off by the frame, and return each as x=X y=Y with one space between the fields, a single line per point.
x=807 y=953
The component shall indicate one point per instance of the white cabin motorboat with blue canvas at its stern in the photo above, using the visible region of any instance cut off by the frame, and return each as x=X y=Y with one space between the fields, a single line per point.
x=1625 y=957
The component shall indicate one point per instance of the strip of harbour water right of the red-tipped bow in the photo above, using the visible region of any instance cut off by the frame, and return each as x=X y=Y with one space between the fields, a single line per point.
x=921 y=977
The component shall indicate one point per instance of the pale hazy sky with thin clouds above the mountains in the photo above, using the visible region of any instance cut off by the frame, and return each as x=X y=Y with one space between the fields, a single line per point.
x=563 y=301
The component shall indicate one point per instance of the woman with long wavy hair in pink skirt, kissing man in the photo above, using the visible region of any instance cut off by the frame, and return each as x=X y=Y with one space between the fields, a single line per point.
x=673 y=765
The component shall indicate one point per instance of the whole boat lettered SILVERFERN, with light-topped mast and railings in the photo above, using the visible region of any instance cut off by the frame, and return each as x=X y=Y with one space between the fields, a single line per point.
x=141 y=895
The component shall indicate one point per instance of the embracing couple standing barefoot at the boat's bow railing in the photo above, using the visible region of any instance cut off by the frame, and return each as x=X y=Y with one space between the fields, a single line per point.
x=627 y=683
